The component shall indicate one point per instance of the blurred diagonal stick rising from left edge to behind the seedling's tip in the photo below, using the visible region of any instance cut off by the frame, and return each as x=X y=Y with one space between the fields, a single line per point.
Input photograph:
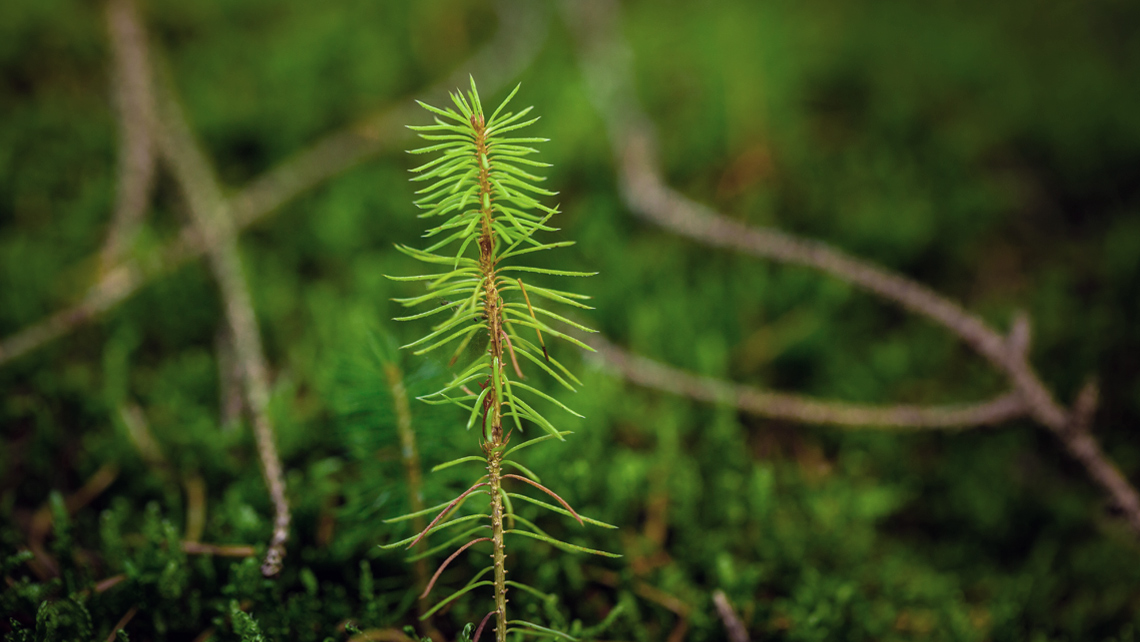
x=523 y=31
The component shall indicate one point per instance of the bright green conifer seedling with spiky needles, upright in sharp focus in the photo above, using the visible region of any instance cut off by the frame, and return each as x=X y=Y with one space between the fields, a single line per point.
x=483 y=190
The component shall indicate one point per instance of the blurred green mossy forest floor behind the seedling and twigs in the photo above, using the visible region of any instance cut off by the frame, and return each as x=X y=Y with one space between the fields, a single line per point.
x=989 y=150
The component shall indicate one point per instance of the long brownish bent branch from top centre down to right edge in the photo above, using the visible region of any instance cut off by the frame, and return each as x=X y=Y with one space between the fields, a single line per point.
x=606 y=63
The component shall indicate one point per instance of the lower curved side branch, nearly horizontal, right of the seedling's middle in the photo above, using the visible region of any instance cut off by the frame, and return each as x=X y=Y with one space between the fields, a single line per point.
x=802 y=409
